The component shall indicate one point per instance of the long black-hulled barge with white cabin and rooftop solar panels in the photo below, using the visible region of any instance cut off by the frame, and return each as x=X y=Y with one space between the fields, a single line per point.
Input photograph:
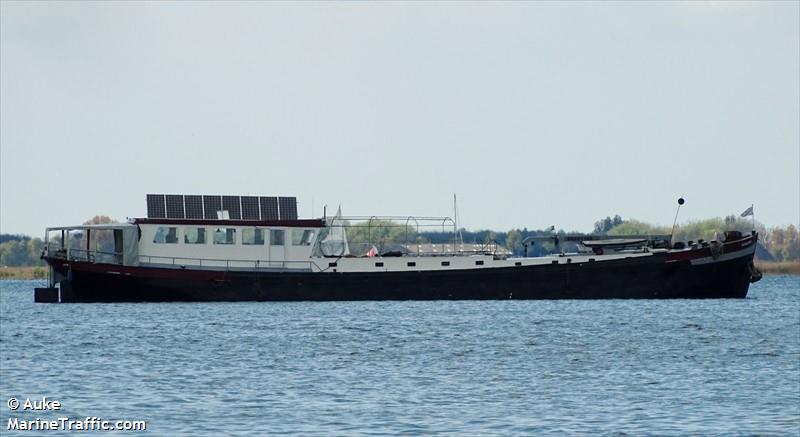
x=202 y=248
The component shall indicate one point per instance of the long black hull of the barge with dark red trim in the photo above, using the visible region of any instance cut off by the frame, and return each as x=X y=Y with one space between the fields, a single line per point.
x=652 y=277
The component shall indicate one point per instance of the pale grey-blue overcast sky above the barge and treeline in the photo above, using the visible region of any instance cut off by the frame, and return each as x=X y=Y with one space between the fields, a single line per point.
x=533 y=113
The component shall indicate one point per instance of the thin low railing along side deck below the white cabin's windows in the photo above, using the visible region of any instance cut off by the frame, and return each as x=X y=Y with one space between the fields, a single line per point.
x=226 y=264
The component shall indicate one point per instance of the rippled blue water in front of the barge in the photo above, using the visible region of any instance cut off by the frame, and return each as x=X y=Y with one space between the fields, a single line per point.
x=505 y=367
